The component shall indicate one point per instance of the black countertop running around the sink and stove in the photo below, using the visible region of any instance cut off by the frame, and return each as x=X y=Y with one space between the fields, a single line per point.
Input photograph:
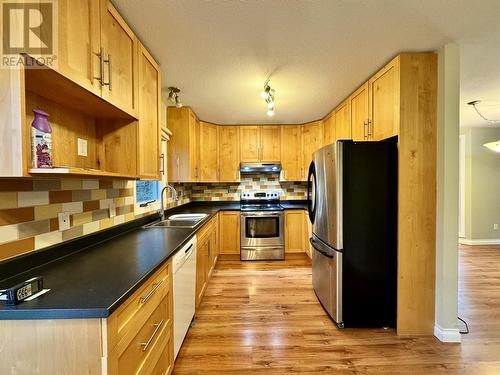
x=93 y=282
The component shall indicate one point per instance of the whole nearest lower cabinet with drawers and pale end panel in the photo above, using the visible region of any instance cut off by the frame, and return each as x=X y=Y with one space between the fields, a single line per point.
x=135 y=339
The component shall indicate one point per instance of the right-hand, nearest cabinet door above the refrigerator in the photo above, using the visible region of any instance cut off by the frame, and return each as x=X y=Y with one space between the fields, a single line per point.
x=384 y=102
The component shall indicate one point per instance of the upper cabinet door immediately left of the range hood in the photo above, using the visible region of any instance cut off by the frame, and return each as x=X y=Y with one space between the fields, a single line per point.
x=229 y=153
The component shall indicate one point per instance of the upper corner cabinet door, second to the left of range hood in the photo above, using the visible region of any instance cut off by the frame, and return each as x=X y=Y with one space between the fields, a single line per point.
x=208 y=152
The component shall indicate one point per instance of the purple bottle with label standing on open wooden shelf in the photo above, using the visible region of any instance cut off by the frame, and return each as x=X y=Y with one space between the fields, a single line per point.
x=41 y=140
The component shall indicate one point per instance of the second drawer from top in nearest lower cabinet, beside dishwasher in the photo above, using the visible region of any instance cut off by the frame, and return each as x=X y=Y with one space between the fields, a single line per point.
x=147 y=347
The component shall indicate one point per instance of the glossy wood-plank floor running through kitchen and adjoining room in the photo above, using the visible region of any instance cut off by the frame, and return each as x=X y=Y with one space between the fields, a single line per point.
x=263 y=317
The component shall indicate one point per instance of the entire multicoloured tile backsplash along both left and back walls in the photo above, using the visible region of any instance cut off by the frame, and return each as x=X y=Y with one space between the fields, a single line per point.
x=29 y=208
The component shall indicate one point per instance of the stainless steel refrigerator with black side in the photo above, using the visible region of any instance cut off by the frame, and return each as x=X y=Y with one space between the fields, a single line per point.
x=352 y=204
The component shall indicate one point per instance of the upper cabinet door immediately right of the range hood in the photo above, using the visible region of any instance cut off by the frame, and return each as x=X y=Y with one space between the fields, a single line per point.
x=291 y=152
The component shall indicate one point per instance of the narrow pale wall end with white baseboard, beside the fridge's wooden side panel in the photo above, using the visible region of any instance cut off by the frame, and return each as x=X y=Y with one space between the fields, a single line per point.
x=447 y=194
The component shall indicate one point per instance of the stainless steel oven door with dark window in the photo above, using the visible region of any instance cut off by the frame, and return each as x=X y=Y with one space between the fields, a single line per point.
x=262 y=229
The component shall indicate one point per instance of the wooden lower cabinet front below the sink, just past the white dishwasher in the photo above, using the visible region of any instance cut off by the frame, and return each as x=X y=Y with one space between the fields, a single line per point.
x=206 y=256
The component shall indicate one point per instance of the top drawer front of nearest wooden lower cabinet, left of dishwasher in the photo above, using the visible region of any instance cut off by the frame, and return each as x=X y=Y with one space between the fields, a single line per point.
x=126 y=321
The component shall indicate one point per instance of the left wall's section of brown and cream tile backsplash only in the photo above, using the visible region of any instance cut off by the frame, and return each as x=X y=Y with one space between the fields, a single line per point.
x=29 y=210
